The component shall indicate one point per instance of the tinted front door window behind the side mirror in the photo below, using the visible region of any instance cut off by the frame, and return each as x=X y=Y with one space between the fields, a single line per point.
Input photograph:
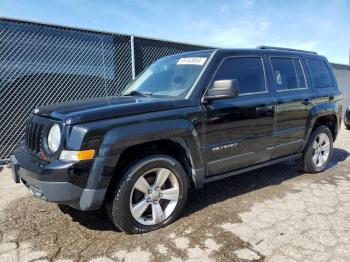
x=247 y=70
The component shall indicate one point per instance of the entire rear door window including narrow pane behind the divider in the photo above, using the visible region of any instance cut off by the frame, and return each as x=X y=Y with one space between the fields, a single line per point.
x=288 y=73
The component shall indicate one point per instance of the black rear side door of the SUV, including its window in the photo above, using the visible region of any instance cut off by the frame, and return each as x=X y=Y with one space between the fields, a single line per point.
x=294 y=99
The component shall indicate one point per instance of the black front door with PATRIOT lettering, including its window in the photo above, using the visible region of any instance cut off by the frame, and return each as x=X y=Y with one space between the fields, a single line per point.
x=239 y=131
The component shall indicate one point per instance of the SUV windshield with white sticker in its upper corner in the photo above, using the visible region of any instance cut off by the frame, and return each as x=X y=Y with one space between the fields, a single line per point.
x=170 y=76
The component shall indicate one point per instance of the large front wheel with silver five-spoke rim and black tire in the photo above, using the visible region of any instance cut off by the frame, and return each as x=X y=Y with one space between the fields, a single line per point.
x=150 y=195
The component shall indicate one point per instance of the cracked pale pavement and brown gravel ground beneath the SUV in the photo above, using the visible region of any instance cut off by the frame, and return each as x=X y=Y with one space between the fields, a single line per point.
x=275 y=213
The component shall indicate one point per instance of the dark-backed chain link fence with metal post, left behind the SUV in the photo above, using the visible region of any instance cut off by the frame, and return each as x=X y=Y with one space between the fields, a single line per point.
x=44 y=64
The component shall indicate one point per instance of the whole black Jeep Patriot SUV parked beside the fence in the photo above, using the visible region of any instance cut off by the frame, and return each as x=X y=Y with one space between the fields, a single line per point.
x=187 y=120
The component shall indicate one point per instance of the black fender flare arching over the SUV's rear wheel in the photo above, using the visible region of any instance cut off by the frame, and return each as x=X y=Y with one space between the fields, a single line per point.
x=317 y=111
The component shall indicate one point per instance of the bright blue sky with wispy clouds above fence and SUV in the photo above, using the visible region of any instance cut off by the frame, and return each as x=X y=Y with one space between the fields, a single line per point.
x=318 y=25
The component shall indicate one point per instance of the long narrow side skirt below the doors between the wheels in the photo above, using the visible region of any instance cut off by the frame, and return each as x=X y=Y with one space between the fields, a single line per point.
x=250 y=168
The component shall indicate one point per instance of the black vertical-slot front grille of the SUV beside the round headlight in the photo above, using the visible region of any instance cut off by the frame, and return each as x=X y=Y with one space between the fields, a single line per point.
x=34 y=135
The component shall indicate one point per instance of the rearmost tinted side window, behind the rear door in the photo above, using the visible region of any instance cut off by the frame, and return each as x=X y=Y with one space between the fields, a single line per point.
x=320 y=74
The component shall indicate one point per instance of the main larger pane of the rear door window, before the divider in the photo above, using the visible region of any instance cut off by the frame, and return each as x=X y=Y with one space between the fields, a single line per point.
x=285 y=73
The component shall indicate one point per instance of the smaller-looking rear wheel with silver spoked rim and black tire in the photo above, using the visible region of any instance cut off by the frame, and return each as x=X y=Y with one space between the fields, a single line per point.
x=318 y=150
